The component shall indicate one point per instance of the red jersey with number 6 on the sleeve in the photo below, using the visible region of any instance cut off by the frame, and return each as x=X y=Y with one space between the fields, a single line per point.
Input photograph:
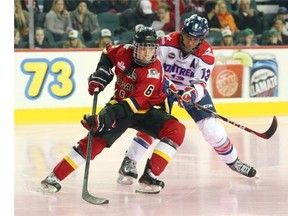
x=140 y=87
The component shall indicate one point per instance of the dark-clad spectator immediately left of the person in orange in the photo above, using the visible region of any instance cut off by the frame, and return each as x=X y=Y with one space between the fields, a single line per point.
x=211 y=9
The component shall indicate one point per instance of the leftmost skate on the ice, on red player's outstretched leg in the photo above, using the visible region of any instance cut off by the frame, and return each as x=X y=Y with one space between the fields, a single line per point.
x=51 y=184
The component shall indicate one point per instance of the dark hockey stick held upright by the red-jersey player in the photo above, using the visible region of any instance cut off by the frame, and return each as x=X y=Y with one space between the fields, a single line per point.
x=85 y=194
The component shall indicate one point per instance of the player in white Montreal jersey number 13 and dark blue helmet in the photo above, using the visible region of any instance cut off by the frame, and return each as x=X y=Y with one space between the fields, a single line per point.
x=188 y=61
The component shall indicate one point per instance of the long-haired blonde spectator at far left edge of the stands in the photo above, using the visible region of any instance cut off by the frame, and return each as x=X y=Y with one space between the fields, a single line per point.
x=21 y=20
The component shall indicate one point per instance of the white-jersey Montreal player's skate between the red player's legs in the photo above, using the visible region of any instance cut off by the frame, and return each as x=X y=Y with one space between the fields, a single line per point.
x=127 y=172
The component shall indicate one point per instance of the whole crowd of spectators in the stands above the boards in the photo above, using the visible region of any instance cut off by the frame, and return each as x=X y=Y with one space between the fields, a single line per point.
x=94 y=23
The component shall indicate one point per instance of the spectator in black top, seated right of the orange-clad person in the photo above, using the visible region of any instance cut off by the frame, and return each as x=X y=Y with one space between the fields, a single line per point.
x=246 y=17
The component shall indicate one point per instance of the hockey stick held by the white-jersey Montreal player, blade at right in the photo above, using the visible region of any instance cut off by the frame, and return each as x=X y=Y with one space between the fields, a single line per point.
x=266 y=135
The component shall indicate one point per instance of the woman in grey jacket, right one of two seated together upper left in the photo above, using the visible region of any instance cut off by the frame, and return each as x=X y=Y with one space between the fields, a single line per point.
x=84 y=20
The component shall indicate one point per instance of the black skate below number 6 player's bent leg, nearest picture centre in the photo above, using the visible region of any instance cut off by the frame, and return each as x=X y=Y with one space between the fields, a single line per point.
x=148 y=182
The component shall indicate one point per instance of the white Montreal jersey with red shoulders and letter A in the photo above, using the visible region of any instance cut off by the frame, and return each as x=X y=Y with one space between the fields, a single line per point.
x=186 y=70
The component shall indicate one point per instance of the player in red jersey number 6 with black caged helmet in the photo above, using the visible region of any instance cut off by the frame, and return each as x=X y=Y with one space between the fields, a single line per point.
x=138 y=102
